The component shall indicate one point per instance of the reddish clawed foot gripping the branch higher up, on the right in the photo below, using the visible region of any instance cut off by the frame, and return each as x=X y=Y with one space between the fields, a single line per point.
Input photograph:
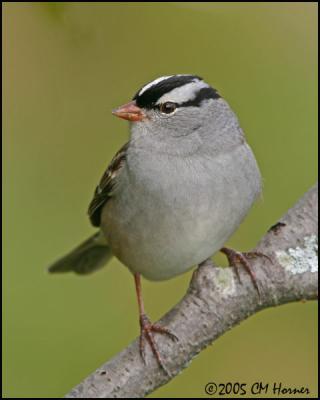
x=236 y=258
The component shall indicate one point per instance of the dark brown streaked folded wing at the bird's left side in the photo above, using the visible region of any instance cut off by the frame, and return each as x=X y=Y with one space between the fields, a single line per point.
x=103 y=191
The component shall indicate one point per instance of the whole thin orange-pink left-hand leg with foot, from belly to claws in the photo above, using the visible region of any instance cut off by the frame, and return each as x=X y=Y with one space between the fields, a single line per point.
x=147 y=328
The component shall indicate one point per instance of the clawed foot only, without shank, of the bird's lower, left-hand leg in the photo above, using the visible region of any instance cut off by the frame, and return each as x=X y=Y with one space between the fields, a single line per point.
x=147 y=329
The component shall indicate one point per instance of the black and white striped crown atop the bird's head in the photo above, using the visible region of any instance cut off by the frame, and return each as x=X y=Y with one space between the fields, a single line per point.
x=184 y=90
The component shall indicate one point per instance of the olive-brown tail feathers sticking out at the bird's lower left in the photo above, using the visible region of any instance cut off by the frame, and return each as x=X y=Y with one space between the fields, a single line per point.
x=91 y=255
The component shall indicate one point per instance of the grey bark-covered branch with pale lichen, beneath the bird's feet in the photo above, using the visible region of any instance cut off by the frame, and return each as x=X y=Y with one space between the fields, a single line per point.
x=216 y=302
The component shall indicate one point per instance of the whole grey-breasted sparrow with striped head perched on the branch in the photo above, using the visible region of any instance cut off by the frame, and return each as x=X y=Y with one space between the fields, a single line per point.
x=174 y=193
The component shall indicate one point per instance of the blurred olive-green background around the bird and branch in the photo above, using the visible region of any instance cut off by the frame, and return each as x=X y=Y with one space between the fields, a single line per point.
x=65 y=67
